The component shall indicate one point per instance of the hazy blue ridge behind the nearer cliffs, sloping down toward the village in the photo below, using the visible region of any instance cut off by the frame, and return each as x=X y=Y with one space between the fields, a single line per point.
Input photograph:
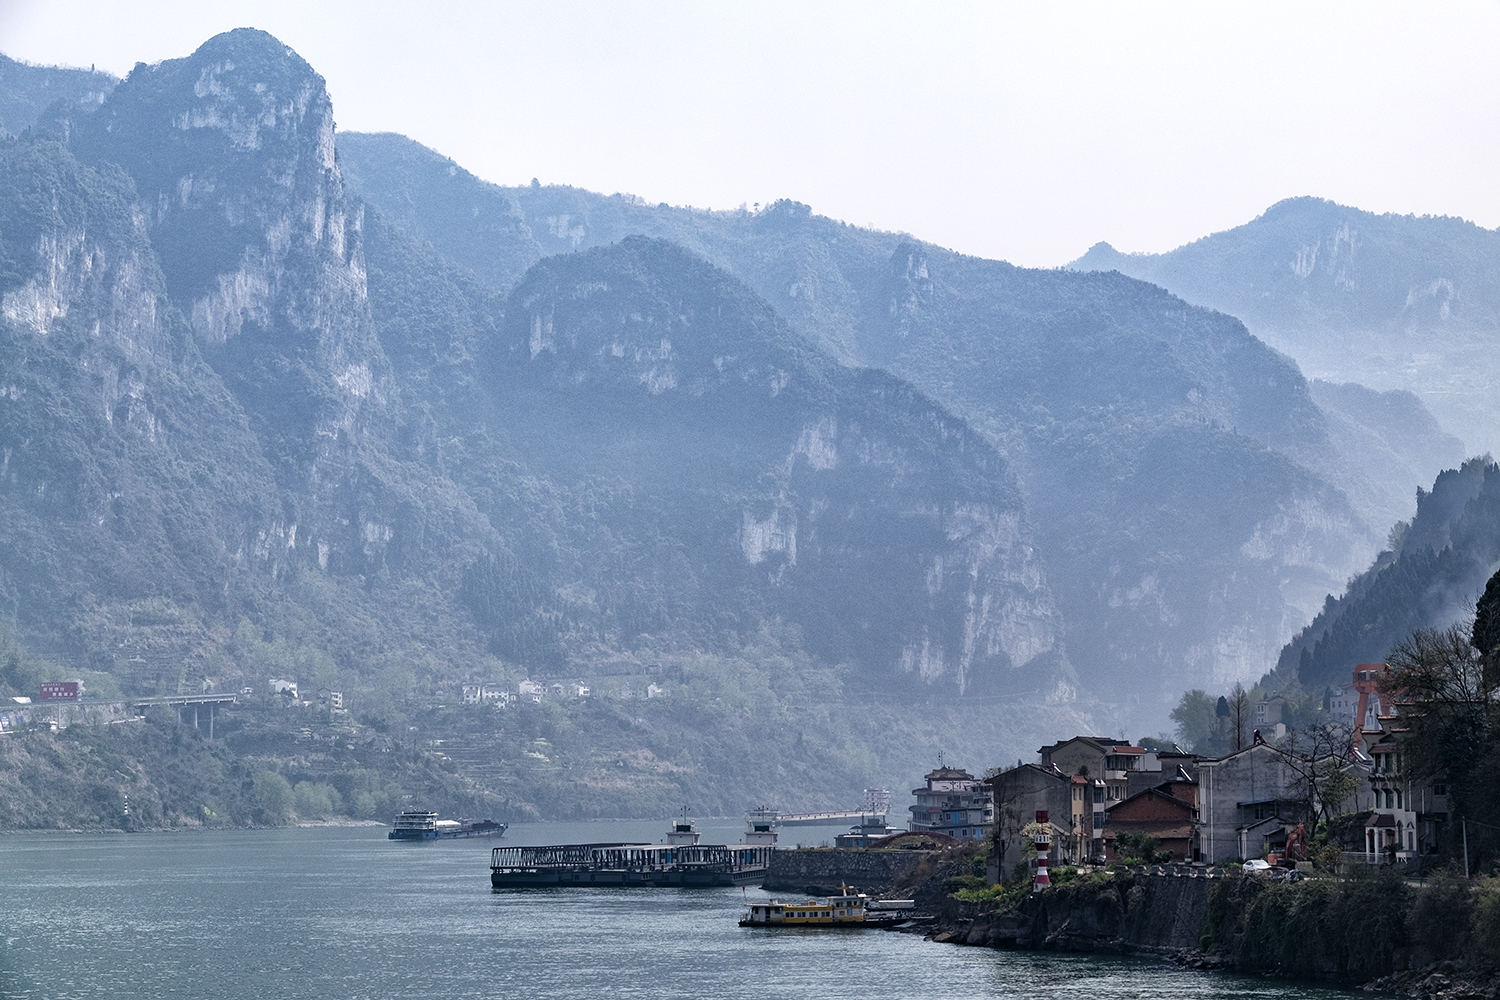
x=1165 y=454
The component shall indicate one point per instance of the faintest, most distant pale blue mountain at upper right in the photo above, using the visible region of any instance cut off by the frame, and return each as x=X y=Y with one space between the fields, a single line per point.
x=1385 y=301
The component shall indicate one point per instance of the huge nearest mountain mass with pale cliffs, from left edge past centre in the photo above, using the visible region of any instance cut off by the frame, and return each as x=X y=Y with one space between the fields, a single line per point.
x=251 y=424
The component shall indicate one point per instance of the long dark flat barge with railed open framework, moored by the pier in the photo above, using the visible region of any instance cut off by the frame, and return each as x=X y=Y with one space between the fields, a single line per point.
x=679 y=863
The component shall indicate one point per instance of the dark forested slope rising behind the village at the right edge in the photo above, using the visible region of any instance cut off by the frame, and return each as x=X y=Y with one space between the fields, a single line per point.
x=1433 y=578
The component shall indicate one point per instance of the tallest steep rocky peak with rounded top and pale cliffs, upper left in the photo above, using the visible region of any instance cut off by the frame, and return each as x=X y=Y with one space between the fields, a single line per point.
x=232 y=154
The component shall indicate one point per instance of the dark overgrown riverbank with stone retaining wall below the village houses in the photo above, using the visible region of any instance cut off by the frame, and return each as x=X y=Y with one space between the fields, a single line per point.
x=1370 y=930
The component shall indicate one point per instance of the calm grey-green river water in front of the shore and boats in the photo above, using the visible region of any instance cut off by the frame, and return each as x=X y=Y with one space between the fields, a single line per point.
x=344 y=914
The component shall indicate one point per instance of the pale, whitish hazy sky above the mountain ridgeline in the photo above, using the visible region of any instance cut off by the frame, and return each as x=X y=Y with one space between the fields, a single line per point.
x=1021 y=131
